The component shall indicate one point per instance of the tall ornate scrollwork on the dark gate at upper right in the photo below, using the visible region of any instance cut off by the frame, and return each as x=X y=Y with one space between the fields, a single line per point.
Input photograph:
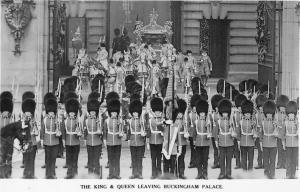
x=263 y=34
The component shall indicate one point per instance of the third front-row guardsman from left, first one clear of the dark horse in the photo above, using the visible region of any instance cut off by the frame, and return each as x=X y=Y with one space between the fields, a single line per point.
x=50 y=133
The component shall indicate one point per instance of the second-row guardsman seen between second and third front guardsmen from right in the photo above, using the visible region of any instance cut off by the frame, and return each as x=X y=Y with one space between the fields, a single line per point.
x=260 y=101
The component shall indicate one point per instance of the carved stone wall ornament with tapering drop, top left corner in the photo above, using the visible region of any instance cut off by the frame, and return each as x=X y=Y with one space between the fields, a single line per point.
x=18 y=16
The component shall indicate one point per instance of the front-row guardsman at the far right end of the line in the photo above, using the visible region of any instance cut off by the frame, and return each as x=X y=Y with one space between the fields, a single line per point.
x=290 y=139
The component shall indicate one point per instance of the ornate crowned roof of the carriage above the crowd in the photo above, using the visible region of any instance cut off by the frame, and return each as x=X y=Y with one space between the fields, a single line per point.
x=153 y=27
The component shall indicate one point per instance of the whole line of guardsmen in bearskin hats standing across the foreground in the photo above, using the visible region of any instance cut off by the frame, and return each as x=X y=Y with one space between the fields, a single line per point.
x=233 y=126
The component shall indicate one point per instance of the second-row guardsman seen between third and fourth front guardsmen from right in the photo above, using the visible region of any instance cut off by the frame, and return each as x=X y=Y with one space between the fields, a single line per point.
x=237 y=116
